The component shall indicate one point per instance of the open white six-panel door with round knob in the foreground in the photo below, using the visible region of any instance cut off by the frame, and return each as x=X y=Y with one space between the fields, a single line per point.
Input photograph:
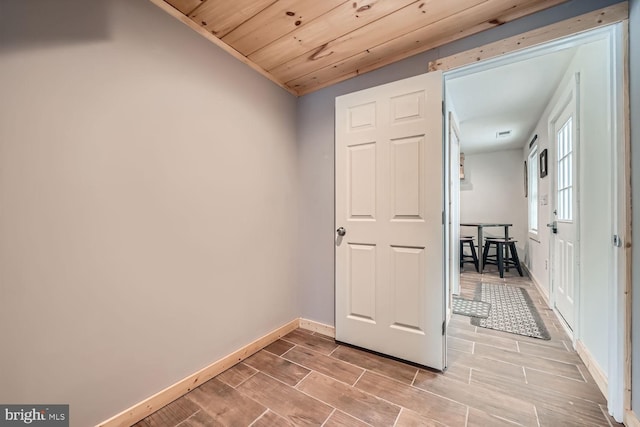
x=389 y=206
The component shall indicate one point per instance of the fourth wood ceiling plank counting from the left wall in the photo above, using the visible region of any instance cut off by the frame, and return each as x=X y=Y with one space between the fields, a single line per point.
x=339 y=21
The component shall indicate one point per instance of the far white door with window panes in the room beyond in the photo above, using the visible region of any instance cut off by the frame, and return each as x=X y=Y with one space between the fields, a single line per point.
x=564 y=241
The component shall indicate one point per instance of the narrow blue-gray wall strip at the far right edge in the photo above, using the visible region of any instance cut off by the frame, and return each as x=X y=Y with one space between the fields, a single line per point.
x=634 y=38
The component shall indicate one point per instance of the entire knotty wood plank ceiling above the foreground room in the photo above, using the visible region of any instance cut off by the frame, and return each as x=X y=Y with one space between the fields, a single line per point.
x=305 y=45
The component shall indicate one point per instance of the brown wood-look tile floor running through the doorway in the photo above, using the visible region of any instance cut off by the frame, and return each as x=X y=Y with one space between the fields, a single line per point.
x=494 y=379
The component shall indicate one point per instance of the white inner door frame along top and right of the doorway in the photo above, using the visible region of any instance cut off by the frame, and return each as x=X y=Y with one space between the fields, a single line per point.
x=619 y=378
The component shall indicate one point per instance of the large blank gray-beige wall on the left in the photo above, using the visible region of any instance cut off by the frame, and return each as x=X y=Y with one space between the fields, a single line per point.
x=148 y=204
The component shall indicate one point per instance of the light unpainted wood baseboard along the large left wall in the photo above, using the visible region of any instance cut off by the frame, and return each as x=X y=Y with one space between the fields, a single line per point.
x=150 y=405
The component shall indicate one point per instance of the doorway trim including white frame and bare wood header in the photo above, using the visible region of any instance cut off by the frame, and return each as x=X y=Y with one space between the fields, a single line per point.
x=618 y=379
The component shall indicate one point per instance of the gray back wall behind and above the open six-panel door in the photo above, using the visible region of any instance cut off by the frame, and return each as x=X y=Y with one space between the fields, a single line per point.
x=315 y=137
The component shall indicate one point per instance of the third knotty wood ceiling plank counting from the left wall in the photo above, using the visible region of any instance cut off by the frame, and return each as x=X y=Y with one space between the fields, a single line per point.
x=275 y=21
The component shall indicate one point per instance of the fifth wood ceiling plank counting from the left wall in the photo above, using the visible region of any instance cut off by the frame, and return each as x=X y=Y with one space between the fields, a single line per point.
x=394 y=25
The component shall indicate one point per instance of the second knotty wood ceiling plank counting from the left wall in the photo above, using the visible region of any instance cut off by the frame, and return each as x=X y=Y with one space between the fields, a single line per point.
x=220 y=17
